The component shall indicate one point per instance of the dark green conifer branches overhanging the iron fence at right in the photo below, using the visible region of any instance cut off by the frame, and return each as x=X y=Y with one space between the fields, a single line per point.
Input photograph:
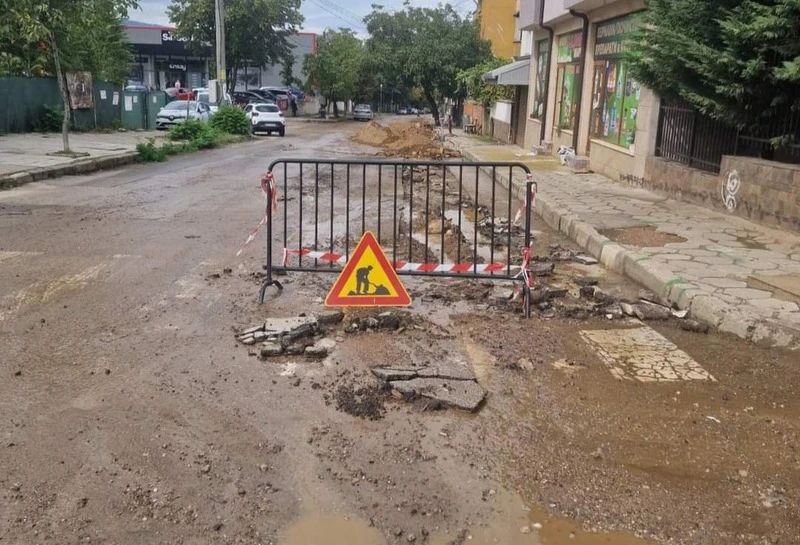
x=735 y=60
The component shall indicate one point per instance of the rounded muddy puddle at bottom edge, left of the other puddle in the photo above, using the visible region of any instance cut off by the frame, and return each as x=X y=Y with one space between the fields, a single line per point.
x=332 y=530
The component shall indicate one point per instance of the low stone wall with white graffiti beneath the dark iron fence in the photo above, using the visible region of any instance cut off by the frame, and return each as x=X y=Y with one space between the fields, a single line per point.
x=762 y=191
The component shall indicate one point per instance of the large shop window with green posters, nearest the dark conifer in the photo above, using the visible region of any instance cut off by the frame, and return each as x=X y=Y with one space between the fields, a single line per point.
x=615 y=95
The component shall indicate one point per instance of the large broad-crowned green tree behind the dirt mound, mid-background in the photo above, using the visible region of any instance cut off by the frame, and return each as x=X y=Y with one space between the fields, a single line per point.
x=425 y=47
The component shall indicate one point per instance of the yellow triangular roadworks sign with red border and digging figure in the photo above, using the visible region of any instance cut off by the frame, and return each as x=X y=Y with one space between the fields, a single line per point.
x=368 y=280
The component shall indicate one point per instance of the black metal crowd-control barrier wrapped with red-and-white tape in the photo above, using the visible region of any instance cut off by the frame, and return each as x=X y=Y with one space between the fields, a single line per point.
x=432 y=218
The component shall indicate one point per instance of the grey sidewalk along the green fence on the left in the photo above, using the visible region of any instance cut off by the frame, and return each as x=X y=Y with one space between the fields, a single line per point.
x=26 y=158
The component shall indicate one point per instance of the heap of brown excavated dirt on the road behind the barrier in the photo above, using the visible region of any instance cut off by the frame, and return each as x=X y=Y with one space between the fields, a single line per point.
x=405 y=139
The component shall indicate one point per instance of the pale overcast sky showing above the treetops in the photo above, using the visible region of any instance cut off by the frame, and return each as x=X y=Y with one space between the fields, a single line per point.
x=319 y=14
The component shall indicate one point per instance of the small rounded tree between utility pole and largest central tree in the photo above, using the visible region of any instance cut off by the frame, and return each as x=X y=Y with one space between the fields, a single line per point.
x=336 y=68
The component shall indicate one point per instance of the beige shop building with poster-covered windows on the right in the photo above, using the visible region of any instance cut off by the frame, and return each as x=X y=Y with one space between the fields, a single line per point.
x=581 y=95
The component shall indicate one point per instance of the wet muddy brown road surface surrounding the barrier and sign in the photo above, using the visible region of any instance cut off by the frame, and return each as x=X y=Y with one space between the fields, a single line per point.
x=133 y=413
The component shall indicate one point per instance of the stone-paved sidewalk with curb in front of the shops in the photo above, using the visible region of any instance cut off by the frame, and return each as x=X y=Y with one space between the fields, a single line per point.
x=737 y=276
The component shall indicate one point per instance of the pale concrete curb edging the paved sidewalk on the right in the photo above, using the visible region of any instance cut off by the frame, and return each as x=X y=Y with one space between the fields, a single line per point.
x=705 y=308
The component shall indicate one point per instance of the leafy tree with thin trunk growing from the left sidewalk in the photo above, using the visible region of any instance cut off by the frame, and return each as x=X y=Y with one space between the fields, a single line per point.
x=43 y=37
